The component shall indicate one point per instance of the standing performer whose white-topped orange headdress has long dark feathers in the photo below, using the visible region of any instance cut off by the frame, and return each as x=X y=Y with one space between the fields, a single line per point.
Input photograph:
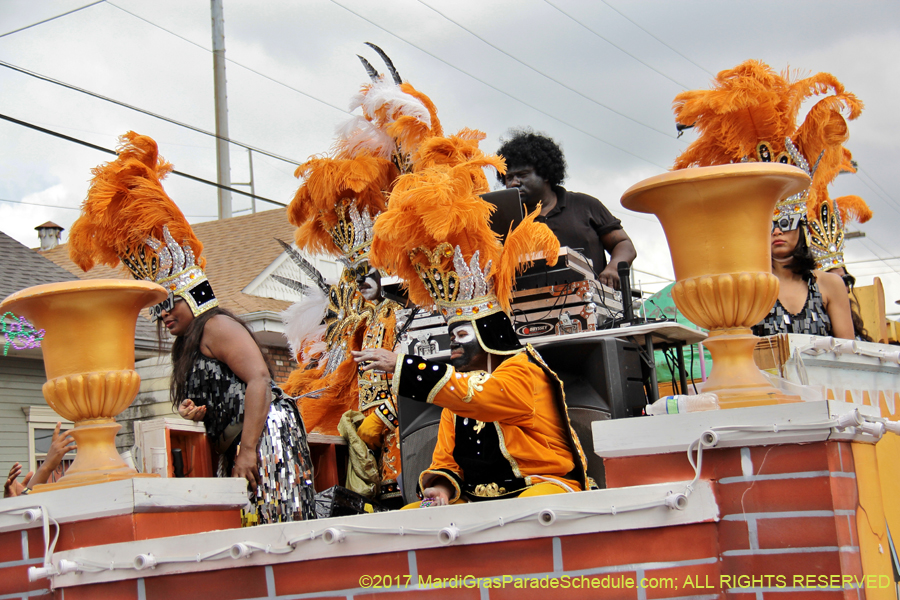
x=334 y=211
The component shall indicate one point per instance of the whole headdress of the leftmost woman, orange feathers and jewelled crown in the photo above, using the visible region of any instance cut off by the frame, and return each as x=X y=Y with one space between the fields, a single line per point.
x=128 y=217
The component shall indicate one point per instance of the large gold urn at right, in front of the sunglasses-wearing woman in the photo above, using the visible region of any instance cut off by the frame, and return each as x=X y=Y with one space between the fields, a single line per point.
x=718 y=222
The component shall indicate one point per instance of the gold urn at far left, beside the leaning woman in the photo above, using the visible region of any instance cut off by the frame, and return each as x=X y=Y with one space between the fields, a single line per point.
x=88 y=350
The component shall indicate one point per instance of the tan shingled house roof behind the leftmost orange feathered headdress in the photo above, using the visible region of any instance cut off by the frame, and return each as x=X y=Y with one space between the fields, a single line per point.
x=236 y=251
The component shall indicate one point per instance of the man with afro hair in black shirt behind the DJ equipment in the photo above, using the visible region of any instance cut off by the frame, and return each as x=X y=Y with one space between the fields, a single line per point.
x=536 y=167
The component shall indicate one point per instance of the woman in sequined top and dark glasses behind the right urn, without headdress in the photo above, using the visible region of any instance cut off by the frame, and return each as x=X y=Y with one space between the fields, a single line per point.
x=809 y=301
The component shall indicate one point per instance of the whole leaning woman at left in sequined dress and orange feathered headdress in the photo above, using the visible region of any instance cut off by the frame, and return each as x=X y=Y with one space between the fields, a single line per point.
x=219 y=373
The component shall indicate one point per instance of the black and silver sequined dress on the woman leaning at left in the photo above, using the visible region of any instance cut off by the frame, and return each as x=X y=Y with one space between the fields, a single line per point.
x=286 y=492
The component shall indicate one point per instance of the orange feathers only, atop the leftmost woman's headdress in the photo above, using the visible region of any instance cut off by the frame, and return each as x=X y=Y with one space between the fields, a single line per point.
x=125 y=205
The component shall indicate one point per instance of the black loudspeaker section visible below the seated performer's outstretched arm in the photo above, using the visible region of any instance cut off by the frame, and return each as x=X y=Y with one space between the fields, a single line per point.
x=419 y=422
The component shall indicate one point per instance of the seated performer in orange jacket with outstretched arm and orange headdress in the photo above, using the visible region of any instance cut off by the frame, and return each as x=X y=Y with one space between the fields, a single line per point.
x=504 y=430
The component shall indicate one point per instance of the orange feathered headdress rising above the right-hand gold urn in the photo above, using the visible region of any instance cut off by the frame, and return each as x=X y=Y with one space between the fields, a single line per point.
x=750 y=114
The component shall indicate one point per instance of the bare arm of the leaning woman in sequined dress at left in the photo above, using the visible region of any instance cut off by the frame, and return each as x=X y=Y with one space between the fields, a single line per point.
x=226 y=340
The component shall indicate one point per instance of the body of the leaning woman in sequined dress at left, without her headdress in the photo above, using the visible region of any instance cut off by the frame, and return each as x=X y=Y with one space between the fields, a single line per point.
x=221 y=377
